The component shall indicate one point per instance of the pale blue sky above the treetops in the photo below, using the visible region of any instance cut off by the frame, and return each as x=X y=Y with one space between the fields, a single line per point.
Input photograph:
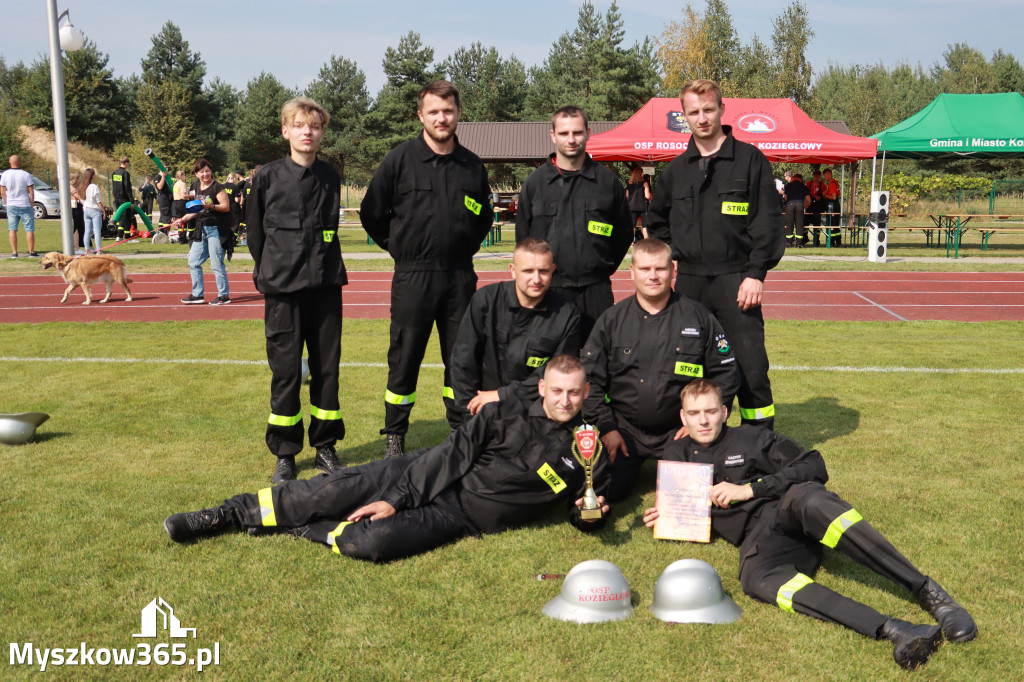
x=292 y=39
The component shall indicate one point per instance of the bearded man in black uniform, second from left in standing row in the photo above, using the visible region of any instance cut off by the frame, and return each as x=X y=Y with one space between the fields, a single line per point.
x=430 y=206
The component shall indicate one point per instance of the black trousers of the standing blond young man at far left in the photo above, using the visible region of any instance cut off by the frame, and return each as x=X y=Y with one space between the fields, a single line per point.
x=311 y=318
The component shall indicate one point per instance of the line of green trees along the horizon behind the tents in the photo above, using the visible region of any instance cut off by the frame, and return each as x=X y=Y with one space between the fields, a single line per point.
x=173 y=107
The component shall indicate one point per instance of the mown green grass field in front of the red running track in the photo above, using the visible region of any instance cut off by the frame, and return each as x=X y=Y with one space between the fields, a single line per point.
x=921 y=431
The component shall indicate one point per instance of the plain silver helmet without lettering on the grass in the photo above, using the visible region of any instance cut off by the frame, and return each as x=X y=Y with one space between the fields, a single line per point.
x=691 y=591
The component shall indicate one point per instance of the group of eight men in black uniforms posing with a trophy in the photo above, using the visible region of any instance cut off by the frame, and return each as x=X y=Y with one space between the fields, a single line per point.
x=527 y=362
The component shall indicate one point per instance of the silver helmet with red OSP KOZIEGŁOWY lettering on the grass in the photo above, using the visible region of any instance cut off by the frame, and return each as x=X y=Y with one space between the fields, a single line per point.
x=594 y=591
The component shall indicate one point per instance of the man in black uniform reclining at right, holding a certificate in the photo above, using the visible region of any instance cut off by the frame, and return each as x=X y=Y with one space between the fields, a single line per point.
x=770 y=500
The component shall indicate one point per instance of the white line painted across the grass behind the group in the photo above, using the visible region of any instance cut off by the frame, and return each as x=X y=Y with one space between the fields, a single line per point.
x=439 y=366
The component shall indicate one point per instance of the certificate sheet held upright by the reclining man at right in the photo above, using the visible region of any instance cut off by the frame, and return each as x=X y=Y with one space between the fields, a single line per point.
x=684 y=501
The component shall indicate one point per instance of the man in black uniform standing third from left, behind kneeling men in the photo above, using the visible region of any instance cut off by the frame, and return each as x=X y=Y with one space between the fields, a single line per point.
x=580 y=208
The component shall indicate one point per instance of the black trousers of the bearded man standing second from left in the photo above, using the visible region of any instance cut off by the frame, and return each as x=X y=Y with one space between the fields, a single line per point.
x=421 y=300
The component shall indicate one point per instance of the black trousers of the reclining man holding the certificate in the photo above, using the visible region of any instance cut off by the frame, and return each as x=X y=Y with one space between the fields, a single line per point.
x=781 y=555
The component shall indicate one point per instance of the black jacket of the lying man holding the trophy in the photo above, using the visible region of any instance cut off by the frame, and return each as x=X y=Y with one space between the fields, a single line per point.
x=510 y=464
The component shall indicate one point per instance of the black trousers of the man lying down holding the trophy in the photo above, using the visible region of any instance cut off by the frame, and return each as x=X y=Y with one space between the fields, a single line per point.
x=325 y=501
